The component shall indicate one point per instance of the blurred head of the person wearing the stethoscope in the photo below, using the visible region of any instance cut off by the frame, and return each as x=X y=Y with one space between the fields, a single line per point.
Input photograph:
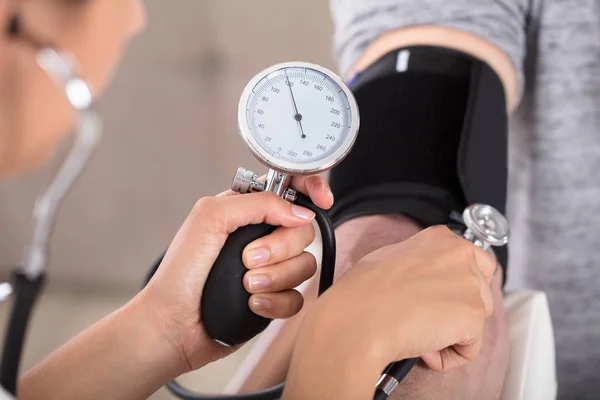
x=34 y=112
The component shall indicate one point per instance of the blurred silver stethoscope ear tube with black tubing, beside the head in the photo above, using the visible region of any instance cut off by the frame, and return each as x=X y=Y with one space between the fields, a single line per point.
x=28 y=279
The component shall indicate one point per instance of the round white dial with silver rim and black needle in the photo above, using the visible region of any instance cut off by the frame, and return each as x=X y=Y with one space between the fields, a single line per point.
x=299 y=118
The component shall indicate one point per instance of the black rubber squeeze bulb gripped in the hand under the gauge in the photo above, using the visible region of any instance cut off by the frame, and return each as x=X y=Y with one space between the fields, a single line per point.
x=225 y=312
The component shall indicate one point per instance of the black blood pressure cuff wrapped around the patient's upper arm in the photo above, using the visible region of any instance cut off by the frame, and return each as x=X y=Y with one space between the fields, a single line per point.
x=433 y=139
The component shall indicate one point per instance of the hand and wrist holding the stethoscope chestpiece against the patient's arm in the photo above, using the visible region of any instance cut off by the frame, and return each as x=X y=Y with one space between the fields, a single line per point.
x=411 y=299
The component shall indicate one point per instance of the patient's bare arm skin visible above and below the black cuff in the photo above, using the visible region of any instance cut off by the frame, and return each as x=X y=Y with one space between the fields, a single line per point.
x=484 y=377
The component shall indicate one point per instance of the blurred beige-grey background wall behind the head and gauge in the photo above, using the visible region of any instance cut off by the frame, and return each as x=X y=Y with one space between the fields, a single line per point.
x=170 y=138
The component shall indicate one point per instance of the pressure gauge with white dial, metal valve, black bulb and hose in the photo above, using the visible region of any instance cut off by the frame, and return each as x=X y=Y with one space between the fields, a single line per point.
x=297 y=119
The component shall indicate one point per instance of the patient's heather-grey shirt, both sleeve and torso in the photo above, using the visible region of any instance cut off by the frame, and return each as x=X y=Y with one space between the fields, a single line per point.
x=554 y=185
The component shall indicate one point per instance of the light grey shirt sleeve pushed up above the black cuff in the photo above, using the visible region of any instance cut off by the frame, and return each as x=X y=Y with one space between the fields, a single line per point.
x=360 y=22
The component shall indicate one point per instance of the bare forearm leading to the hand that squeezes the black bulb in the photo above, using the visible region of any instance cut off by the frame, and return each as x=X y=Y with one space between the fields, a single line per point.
x=121 y=357
